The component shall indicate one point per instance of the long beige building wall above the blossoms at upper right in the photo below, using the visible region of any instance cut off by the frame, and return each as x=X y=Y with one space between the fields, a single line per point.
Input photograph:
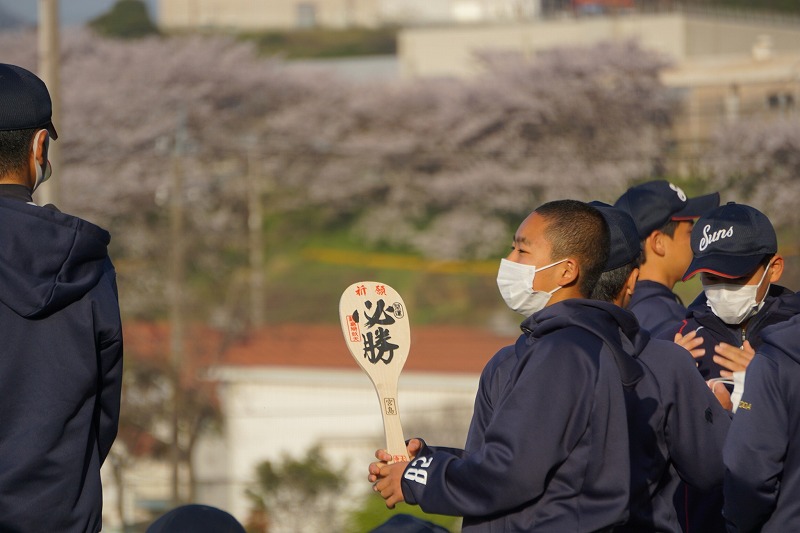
x=450 y=51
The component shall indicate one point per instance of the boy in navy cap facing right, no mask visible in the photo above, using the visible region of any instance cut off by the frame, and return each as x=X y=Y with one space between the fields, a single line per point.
x=663 y=216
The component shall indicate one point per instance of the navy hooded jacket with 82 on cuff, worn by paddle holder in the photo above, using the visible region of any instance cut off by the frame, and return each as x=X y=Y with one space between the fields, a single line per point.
x=553 y=453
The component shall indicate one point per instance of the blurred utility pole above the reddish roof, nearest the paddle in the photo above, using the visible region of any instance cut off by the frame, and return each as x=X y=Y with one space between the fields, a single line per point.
x=255 y=226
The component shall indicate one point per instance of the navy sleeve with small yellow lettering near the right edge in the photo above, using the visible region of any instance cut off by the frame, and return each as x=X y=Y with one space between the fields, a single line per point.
x=755 y=448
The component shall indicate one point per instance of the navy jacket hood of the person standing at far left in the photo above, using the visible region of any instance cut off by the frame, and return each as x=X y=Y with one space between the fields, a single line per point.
x=48 y=259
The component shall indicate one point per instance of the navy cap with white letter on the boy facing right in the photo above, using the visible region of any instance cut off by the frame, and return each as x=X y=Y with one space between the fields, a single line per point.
x=653 y=204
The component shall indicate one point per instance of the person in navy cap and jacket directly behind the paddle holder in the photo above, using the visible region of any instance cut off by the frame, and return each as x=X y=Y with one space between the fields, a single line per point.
x=672 y=413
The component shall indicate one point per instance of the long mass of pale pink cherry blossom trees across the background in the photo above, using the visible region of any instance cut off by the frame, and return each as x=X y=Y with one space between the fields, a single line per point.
x=440 y=166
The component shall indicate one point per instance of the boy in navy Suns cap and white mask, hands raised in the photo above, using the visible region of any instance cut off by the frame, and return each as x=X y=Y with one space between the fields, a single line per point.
x=736 y=254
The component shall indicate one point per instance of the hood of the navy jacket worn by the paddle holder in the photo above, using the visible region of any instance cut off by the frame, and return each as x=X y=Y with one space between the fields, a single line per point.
x=617 y=327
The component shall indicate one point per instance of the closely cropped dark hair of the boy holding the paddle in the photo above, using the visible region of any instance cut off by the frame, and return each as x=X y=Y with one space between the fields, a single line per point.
x=576 y=229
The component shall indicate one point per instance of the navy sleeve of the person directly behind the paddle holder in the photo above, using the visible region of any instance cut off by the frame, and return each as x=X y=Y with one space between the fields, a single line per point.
x=696 y=424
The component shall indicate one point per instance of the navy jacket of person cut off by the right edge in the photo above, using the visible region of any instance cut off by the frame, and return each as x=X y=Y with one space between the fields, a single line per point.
x=762 y=454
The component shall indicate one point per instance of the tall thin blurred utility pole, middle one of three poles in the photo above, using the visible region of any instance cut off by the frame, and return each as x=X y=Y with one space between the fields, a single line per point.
x=177 y=269
